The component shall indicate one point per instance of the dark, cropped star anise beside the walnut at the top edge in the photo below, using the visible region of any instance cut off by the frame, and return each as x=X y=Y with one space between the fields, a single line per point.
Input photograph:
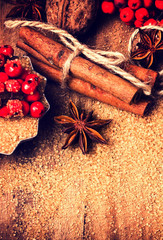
x=28 y=9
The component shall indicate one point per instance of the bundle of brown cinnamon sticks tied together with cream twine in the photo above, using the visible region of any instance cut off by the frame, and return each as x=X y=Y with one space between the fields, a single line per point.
x=48 y=57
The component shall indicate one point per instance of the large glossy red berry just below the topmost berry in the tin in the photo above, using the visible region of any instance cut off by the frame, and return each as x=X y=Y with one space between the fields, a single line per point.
x=13 y=68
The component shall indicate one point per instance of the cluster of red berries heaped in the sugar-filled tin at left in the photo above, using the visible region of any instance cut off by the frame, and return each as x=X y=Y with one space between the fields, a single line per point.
x=21 y=84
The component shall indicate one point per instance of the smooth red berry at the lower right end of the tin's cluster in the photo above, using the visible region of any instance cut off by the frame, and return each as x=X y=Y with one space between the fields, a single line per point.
x=37 y=109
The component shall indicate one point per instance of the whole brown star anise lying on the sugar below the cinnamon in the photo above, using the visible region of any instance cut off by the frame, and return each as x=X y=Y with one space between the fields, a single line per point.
x=81 y=128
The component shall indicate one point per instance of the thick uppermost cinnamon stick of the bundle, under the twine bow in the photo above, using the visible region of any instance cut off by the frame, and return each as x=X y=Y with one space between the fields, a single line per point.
x=80 y=67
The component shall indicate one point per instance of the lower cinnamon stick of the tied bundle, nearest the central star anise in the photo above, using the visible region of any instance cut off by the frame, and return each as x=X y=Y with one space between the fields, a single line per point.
x=90 y=90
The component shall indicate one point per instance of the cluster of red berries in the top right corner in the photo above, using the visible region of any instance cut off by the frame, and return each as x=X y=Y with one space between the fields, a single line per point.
x=136 y=13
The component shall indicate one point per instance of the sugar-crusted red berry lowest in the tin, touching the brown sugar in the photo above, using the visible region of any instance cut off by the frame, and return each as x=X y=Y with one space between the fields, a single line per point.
x=15 y=107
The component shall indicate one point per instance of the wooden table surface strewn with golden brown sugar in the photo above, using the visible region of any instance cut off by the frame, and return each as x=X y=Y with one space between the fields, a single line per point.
x=114 y=192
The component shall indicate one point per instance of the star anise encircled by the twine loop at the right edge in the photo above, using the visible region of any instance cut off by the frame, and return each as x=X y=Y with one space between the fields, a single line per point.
x=150 y=43
